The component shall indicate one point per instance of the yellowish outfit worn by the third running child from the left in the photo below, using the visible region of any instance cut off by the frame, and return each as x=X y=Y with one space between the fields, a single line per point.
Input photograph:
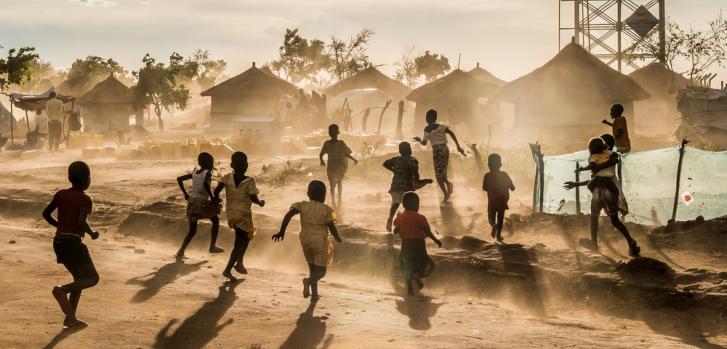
x=238 y=204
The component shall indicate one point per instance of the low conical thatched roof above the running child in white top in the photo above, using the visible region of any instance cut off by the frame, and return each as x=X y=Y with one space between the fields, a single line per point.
x=457 y=85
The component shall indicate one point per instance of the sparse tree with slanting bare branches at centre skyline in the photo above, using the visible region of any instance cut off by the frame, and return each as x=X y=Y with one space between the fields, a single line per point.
x=348 y=58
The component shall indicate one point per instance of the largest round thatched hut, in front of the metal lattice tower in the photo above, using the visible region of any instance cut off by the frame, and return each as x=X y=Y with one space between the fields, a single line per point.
x=563 y=102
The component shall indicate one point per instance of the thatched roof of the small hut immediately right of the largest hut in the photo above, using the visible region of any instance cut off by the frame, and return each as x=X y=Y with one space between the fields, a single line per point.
x=658 y=80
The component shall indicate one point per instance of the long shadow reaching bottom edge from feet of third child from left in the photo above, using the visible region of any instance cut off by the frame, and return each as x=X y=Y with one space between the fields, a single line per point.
x=201 y=327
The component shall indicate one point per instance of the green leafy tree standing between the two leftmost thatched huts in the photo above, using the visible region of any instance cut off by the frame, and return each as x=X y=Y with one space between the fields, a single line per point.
x=158 y=87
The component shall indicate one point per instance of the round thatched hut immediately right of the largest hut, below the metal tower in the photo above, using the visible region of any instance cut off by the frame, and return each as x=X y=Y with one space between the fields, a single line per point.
x=658 y=114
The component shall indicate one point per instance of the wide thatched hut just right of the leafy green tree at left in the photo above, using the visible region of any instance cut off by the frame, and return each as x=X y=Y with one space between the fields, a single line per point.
x=254 y=92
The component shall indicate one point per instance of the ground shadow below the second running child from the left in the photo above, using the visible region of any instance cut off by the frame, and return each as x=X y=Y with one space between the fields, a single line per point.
x=160 y=278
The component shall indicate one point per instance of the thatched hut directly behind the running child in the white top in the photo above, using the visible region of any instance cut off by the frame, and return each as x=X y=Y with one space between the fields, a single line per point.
x=454 y=96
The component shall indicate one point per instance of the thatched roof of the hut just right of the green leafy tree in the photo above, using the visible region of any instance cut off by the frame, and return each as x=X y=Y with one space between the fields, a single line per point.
x=253 y=81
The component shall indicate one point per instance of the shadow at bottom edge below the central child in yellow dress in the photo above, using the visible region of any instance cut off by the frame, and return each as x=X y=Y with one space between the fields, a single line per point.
x=309 y=331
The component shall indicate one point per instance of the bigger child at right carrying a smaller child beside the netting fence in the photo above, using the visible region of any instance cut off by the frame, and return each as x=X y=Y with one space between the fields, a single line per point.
x=605 y=197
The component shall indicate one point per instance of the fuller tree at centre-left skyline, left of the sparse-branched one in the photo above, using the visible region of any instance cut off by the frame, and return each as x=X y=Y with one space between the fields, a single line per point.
x=300 y=58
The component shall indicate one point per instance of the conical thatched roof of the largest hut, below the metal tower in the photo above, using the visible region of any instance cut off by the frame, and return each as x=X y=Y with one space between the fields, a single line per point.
x=573 y=75
